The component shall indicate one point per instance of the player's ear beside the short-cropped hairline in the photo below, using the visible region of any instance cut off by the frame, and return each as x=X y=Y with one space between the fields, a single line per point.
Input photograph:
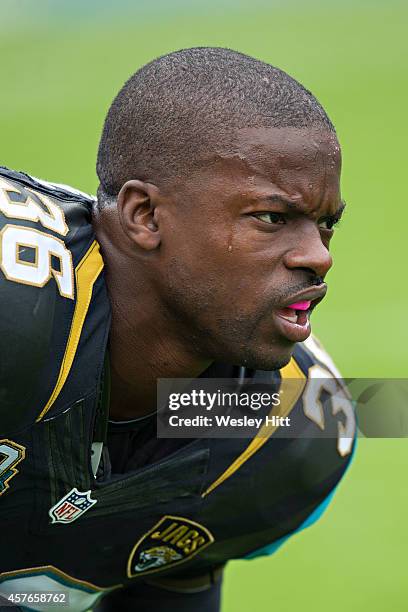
x=137 y=213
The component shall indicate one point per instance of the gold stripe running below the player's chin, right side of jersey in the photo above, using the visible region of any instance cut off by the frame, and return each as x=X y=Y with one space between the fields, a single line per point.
x=291 y=393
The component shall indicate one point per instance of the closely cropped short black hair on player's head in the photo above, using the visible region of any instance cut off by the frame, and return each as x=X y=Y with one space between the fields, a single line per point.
x=174 y=110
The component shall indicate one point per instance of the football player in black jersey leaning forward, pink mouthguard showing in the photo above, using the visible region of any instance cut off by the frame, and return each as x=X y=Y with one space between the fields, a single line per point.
x=204 y=255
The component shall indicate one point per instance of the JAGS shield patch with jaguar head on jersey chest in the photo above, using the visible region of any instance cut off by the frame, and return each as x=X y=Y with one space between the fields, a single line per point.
x=171 y=541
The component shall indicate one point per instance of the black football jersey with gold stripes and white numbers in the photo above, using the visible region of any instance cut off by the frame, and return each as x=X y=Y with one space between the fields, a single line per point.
x=77 y=517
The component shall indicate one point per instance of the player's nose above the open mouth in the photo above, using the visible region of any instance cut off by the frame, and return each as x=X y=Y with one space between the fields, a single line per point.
x=309 y=251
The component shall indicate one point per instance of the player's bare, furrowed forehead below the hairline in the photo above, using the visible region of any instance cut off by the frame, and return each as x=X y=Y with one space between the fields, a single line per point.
x=302 y=164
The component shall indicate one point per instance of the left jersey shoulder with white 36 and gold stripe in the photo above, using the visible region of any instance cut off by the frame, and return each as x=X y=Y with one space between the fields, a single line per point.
x=49 y=266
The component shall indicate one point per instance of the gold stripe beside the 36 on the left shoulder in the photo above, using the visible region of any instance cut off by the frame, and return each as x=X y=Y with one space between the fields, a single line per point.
x=86 y=274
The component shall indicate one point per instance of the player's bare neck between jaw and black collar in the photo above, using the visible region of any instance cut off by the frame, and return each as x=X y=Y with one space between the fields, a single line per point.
x=145 y=342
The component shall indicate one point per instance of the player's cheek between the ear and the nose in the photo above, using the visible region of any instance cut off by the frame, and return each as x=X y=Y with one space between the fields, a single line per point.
x=222 y=266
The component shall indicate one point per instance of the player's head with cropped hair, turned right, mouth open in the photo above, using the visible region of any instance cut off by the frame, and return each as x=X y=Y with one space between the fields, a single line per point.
x=225 y=173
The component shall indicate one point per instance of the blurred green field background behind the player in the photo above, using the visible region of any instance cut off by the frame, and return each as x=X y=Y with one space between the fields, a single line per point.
x=61 y=64
